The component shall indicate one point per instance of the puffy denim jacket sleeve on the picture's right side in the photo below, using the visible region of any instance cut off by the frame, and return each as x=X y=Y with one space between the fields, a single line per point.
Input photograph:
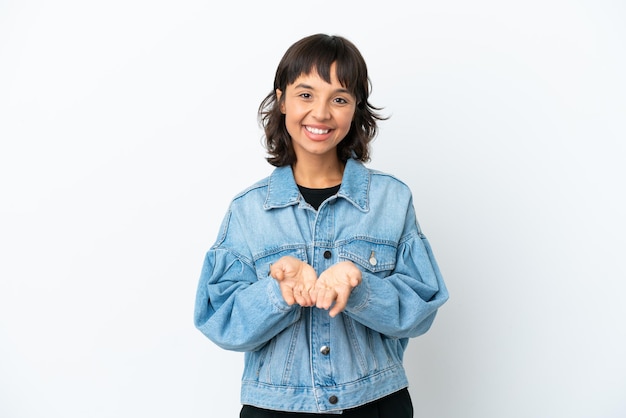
x=404 y=303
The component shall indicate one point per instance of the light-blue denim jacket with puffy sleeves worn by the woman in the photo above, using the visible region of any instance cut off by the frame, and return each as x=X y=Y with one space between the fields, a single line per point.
x=301 y=359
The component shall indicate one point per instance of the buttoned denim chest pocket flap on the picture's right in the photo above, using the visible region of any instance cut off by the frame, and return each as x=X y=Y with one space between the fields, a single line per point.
x=372 y=256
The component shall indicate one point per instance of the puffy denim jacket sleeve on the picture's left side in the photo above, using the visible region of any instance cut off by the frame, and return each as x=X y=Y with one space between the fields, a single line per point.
x=234 y=308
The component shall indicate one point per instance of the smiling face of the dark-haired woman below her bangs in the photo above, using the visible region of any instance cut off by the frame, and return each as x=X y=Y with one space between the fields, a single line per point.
x=317 y=114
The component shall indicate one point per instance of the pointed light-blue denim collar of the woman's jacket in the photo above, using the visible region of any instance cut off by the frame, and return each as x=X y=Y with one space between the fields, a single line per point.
x=282 y=189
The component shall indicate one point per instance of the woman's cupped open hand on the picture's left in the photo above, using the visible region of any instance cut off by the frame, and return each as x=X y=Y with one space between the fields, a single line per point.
x=296 y=279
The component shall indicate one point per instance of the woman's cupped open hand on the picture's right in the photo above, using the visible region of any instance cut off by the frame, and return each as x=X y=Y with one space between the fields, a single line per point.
x=334 y=286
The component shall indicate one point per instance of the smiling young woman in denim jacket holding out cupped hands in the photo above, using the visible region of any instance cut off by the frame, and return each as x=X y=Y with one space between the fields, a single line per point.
x=320 y=272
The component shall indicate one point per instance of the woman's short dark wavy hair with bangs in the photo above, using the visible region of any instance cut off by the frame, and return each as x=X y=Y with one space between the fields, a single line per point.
x=317 y=53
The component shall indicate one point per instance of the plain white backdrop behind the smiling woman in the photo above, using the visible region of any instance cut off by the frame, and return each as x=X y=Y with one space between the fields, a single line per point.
x=127 y=126
